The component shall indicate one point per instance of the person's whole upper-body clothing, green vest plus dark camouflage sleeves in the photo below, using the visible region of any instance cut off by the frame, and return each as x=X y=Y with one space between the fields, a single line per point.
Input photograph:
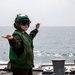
x=21 y=49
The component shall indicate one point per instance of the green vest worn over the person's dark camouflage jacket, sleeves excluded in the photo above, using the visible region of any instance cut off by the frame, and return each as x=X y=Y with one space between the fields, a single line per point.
x=26 y=58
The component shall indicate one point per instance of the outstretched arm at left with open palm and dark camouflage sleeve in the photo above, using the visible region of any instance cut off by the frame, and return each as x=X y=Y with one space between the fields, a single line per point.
x=14 y=41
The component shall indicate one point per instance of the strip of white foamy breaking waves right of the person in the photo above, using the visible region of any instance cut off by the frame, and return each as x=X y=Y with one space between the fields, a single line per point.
x=46 y=53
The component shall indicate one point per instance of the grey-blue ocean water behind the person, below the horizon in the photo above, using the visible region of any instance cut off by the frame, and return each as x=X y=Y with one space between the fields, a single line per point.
x=50 y=43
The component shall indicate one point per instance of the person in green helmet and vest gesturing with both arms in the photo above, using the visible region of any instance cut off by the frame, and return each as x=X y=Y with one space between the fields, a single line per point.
x=21 y=46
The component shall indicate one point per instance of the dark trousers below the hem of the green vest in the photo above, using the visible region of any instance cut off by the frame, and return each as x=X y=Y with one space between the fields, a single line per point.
x=17 y=71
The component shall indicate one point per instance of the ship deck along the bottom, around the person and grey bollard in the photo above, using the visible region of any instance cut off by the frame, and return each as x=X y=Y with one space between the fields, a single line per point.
x=41 y=70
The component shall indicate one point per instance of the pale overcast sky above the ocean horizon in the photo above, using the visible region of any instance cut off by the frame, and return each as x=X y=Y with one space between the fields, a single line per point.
x=45 y=12
